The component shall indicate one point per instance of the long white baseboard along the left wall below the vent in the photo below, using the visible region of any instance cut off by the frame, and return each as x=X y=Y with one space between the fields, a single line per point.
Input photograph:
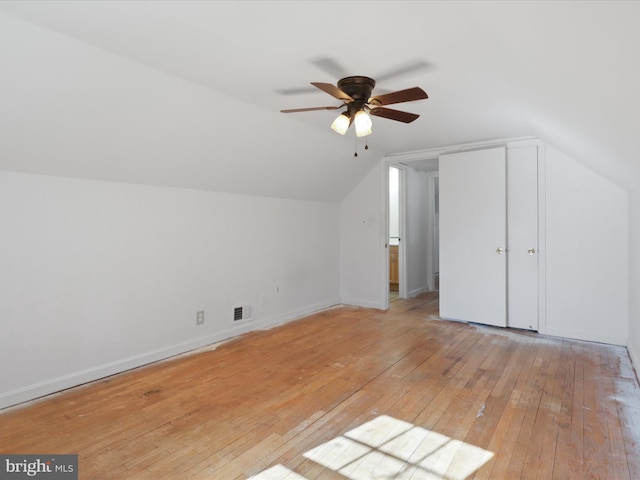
x=74 y=379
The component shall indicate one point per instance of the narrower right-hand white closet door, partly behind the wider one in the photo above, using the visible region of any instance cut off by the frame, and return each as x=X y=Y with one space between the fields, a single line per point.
x=522 y=220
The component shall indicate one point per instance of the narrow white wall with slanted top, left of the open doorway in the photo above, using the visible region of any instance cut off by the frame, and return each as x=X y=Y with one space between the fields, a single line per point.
x=363 y=278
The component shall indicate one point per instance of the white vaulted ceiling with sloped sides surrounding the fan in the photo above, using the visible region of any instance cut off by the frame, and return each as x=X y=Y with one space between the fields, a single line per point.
x=187 y=94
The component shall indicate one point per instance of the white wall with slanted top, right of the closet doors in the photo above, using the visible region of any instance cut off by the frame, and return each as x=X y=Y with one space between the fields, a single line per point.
x=586 y=253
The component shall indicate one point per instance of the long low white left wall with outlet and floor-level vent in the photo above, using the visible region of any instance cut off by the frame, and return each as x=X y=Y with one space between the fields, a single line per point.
x=98 y=277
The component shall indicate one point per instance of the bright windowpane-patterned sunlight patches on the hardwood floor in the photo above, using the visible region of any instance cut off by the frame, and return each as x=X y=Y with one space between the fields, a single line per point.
x=388 y=448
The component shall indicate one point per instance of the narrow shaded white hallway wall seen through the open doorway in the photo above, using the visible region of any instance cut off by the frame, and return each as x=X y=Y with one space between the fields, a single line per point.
x=416 y=232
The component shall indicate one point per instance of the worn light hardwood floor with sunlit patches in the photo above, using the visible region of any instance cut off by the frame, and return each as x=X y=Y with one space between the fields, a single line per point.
x=354 y=393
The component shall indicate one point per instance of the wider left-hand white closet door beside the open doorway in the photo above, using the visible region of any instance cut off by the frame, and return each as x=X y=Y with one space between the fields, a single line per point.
x=473 y=236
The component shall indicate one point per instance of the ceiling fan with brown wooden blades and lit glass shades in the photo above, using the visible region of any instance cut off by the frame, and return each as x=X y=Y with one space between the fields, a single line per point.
x=355 y=93
